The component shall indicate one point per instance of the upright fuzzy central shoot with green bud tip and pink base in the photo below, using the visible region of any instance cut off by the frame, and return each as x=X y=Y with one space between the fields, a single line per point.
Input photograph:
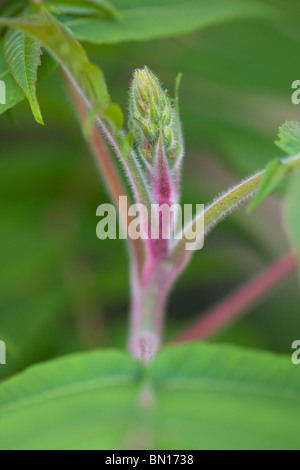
x=155 y=127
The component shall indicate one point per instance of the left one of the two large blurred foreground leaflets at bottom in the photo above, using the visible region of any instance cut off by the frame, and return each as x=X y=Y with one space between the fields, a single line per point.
x=95 y=392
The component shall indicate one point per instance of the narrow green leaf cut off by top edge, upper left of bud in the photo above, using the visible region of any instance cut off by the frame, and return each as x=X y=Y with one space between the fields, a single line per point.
x=87 y=7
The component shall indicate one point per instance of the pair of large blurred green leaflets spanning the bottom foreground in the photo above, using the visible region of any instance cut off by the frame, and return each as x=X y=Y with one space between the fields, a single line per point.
x=196 y=396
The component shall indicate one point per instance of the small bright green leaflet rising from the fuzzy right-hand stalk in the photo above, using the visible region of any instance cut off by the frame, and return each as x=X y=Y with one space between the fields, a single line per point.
x=274 y=174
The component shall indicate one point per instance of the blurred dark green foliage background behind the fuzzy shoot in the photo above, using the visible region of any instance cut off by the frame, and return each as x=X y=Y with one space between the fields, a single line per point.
x=61 y=289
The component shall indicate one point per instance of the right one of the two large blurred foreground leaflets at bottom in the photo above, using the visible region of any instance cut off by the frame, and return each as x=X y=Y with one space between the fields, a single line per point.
x=219 y=397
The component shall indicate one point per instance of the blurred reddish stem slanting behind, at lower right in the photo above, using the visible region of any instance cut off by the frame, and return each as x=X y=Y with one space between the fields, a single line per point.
x=239 y=301
